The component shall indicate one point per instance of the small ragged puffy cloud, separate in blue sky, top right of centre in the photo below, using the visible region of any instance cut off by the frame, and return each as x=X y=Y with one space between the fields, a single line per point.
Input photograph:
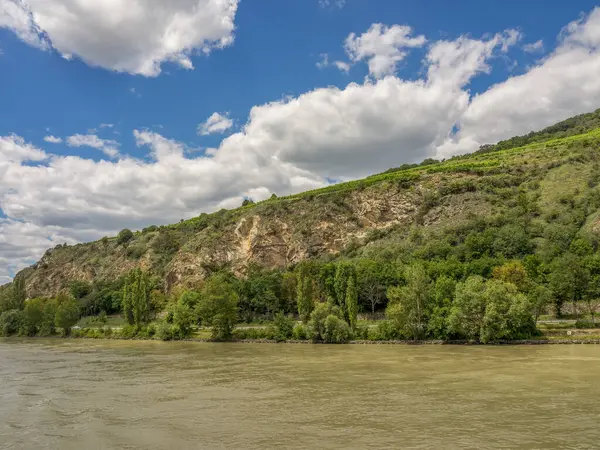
x=382 y=47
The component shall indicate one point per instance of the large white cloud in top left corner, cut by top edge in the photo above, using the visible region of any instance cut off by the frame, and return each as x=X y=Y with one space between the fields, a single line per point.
x=133 y=36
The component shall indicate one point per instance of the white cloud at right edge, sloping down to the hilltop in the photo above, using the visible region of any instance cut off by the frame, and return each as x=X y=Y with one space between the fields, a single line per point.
x=563 y=84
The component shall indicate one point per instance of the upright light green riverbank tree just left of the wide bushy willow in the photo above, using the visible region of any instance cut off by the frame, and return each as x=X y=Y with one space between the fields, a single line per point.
x=410 y=305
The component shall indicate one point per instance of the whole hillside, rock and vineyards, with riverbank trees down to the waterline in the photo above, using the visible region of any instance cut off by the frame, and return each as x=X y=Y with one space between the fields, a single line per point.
x=484 y=248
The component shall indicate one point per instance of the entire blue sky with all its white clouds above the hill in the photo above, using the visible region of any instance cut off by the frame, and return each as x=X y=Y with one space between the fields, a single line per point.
x=125 y=113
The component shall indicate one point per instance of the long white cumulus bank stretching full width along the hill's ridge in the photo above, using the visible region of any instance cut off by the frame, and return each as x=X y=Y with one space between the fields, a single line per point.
x=297 y=143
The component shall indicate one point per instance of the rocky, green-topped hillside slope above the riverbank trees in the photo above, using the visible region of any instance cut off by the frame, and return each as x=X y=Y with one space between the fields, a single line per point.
x=465 y=209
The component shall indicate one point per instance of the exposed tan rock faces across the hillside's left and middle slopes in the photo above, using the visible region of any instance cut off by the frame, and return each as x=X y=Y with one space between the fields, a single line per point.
x=271 y=235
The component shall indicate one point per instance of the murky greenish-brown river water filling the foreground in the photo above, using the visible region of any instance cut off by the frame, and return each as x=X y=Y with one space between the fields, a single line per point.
x=75 y=394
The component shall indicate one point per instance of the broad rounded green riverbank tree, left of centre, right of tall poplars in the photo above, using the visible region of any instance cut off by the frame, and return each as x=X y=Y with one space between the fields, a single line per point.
x=218 y=306
